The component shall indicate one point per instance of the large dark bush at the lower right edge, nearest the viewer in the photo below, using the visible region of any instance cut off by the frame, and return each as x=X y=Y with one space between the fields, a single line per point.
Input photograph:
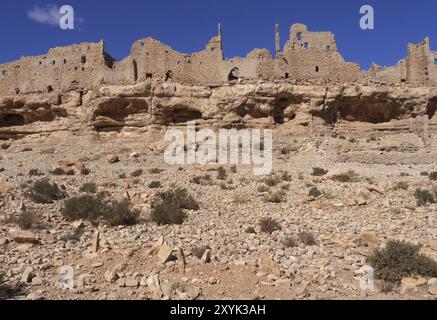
x=398 y=260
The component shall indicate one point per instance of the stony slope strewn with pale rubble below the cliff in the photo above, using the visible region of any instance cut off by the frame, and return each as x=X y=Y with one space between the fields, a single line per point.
x=348 y=220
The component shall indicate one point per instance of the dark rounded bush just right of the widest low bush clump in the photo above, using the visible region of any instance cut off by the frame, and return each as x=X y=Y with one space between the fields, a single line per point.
x=168 y=206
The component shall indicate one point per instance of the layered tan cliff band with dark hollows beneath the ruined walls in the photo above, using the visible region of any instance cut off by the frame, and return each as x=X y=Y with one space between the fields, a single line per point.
x=241 y=105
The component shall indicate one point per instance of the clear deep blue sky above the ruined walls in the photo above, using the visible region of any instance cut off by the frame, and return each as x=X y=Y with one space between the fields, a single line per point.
x=187 y=25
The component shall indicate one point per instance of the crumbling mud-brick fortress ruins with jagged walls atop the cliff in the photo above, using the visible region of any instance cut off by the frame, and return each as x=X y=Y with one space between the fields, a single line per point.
x=306 y=56
